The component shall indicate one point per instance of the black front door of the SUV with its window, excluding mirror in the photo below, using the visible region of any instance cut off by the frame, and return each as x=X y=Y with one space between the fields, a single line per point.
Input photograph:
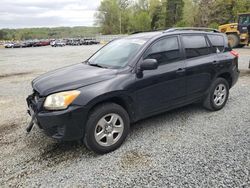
x=157 y=90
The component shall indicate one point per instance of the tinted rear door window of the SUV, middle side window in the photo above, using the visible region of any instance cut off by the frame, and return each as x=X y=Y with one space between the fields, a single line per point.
x=195 y=46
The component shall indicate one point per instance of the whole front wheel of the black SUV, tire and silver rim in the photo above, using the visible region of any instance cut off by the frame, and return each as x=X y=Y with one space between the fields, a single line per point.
x=107 y=127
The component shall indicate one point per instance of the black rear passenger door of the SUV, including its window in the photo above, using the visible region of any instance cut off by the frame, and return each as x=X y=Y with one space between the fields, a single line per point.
x=199 y=61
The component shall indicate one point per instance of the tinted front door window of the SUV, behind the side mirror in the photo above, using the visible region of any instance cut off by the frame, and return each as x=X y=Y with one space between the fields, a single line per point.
x=164 y=51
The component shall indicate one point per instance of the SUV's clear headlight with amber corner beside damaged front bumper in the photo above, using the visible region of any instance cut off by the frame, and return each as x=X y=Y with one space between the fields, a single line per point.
x=62 y=100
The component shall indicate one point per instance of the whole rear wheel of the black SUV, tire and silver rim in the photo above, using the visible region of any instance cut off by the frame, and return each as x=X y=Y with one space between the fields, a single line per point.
x=218 y=95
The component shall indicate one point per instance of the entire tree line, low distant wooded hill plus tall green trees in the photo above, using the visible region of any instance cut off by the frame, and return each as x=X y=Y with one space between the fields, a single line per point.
x=128 y=16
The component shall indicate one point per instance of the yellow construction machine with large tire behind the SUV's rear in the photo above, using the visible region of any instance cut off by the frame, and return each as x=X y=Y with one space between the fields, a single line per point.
x=238 y=33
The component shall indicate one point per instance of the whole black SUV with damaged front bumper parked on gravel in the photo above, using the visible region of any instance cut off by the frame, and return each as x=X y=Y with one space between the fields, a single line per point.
x=130 y=79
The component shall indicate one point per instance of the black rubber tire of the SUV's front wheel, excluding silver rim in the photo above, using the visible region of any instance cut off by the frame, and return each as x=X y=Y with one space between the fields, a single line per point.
x=97 y=114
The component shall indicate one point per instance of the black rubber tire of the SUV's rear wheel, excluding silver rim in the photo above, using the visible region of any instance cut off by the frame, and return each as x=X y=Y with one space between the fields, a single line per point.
x=209 y=102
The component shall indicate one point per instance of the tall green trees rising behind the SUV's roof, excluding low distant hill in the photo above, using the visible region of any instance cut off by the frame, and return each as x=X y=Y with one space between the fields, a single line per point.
x=127 y=16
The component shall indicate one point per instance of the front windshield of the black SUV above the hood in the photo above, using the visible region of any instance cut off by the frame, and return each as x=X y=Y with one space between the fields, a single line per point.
x=117 y=53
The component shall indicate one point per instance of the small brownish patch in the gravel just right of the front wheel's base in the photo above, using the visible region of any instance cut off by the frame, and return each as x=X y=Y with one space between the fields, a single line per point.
x=135 y=159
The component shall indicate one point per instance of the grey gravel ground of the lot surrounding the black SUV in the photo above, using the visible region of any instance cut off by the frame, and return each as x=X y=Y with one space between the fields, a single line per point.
x=186 y=147
